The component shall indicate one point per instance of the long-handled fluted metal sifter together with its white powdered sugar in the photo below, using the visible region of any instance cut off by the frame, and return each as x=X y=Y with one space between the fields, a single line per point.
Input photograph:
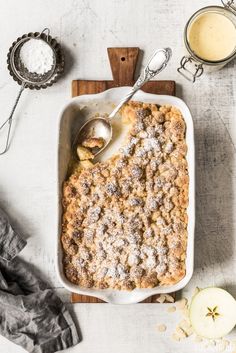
x=29 y=73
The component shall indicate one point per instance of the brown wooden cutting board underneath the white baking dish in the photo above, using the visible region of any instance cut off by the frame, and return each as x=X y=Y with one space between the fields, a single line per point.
x=123 y=63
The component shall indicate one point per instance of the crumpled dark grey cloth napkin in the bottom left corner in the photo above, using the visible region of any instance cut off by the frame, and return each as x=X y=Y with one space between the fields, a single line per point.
x=31 y=315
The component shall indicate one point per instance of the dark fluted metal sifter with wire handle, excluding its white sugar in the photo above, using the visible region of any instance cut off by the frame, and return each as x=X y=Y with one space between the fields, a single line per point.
x=31 y=80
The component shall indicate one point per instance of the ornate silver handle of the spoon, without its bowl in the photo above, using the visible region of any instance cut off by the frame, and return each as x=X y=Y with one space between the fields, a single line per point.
x=155 y=65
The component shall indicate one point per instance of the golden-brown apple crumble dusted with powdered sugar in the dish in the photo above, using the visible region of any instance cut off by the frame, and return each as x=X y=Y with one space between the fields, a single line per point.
x=125 y=220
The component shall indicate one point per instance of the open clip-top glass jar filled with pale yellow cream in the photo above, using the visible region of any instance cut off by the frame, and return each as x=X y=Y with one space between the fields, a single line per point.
x=210 y=40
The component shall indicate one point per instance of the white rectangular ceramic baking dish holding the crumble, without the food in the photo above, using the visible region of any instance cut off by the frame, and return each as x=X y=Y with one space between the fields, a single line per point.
x=72 y=116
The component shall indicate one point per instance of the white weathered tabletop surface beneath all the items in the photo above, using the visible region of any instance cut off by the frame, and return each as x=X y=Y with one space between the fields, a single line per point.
x=27 y=172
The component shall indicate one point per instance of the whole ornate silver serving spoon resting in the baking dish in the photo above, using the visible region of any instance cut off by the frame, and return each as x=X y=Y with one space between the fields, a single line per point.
x=100 y=126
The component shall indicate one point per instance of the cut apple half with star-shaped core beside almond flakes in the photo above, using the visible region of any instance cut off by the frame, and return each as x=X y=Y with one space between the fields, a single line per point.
x=213 y=313
